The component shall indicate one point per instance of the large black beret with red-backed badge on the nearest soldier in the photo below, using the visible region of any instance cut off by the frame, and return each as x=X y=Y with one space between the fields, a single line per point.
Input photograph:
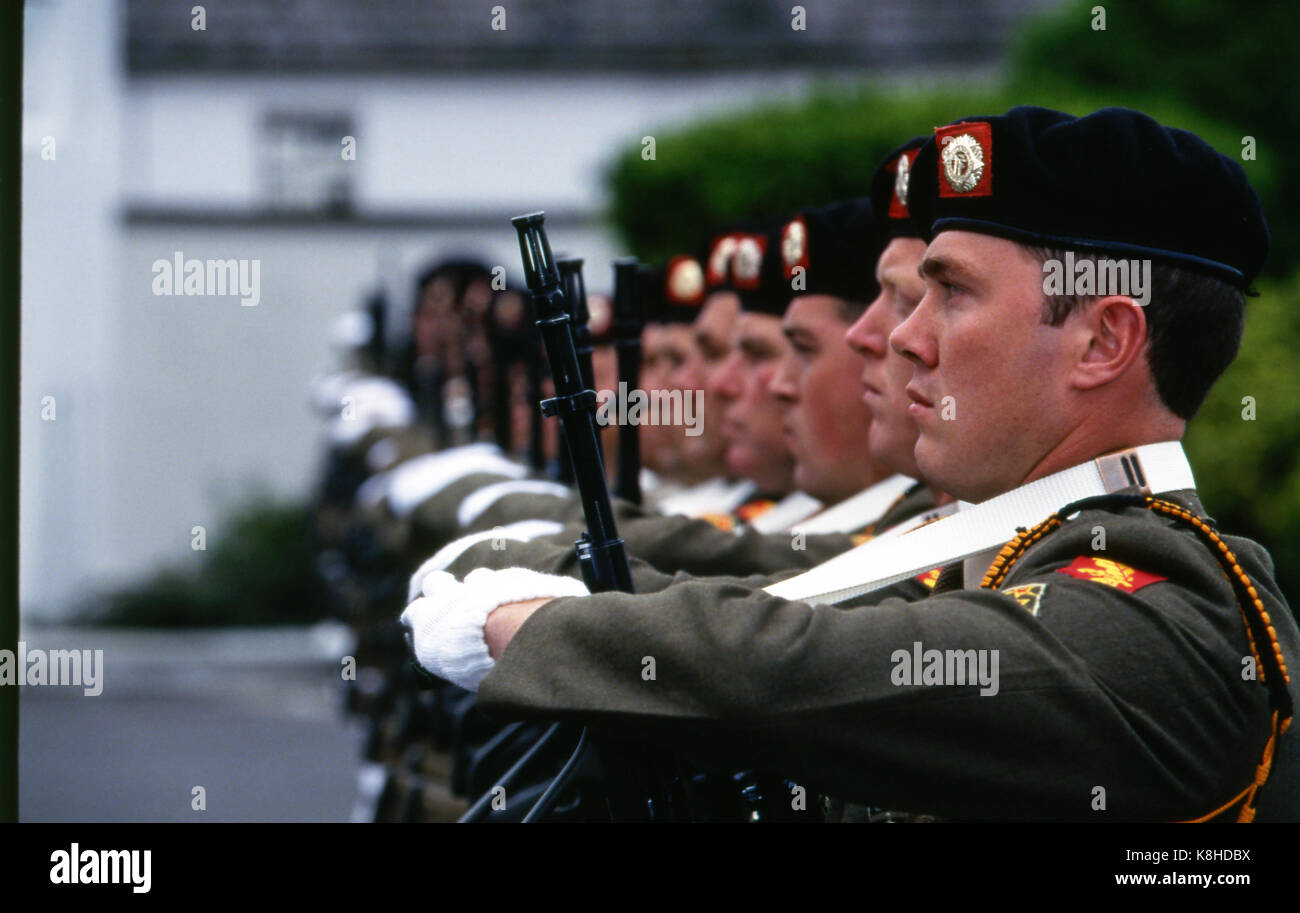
x=1113 y=181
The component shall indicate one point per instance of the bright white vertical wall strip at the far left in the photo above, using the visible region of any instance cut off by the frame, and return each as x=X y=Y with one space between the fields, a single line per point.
x=72 y=98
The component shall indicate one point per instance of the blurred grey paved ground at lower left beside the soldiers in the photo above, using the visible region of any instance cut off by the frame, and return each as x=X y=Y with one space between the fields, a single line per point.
x=250 y=716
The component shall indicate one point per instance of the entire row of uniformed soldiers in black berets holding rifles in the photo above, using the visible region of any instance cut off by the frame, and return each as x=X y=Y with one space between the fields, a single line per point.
x=876 y=386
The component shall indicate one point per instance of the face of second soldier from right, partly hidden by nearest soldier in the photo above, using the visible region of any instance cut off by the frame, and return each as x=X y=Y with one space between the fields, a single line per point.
x=886 y=374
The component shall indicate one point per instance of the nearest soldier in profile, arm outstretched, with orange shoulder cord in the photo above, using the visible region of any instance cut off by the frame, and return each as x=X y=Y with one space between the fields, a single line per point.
x=1145 y=657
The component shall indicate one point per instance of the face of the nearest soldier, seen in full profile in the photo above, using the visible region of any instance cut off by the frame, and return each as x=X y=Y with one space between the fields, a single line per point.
x=990 y=387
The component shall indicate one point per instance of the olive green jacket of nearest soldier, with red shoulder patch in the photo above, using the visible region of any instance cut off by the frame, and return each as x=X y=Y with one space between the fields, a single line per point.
x=1123 y=689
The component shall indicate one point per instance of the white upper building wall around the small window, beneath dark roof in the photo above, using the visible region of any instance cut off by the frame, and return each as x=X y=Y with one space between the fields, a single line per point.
x=440 y=142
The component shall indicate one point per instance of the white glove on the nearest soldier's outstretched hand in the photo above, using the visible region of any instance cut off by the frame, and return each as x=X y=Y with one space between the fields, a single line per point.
x=448 y=622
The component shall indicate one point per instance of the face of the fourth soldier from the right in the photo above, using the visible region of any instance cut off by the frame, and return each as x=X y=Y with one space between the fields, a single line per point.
x=752 y=417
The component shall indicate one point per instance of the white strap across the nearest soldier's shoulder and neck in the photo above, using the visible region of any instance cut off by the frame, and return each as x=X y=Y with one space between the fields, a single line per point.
x=1155 y=468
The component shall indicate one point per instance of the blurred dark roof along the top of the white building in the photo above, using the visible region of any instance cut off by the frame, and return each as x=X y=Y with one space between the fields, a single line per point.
x=658 y=36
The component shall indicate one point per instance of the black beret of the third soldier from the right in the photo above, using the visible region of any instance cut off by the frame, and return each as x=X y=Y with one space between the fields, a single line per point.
x=837 y=246
